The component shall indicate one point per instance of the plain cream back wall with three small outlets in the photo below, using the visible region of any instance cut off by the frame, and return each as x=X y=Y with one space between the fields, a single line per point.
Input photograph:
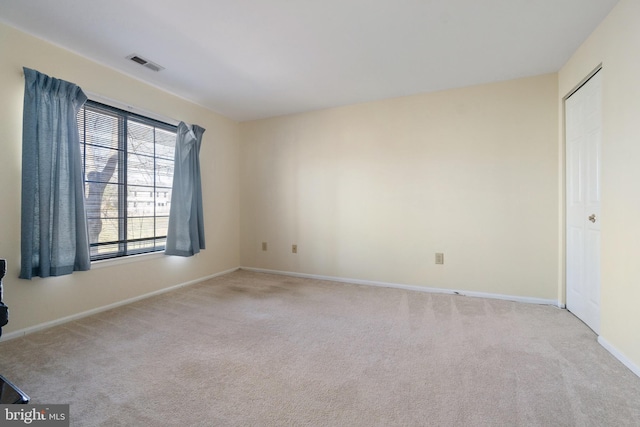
x=372 y=191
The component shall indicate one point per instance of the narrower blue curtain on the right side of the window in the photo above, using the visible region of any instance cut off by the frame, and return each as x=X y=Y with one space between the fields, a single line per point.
x=185 y=236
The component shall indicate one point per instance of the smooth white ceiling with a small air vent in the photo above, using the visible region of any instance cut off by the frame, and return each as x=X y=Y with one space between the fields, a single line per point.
x=251 y=59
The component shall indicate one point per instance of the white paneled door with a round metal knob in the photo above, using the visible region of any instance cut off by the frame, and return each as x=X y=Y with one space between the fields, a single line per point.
x=583 y=117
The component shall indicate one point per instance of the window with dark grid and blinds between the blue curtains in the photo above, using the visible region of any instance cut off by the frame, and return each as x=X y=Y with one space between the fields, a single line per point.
x=127 y=161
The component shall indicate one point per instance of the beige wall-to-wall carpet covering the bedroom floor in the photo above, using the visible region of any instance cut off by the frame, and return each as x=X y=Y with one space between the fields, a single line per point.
x=250 y=349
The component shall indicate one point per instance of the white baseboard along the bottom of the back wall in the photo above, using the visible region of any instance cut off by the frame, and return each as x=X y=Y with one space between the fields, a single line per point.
x=527 y=300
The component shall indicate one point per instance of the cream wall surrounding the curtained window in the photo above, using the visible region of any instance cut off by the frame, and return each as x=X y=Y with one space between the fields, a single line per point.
x=38 y=301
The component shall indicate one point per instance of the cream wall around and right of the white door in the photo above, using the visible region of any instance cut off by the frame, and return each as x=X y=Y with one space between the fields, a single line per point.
x=616 y=44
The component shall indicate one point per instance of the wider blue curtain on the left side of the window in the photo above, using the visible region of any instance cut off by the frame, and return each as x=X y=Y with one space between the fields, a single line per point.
x=54 y=237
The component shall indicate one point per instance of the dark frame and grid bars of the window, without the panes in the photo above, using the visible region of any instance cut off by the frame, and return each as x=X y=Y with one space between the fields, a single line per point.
x=124 y=241
